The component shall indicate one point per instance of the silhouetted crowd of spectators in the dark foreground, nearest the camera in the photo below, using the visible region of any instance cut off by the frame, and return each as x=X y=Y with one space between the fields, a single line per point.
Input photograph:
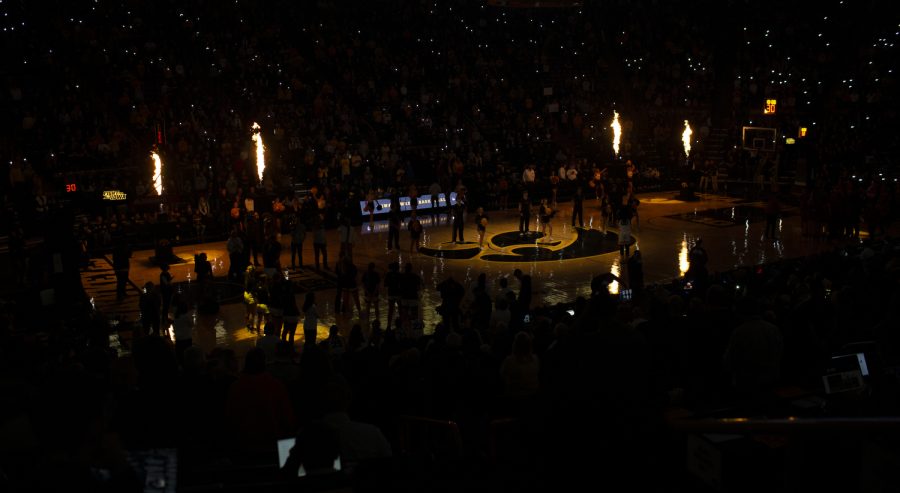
x=555 y=375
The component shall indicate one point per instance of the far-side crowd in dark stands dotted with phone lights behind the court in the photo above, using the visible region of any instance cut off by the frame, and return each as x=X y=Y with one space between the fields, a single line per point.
x=412 y=94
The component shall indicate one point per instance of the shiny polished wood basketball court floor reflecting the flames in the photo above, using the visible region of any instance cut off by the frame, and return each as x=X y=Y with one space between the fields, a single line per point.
x=732 y=230
